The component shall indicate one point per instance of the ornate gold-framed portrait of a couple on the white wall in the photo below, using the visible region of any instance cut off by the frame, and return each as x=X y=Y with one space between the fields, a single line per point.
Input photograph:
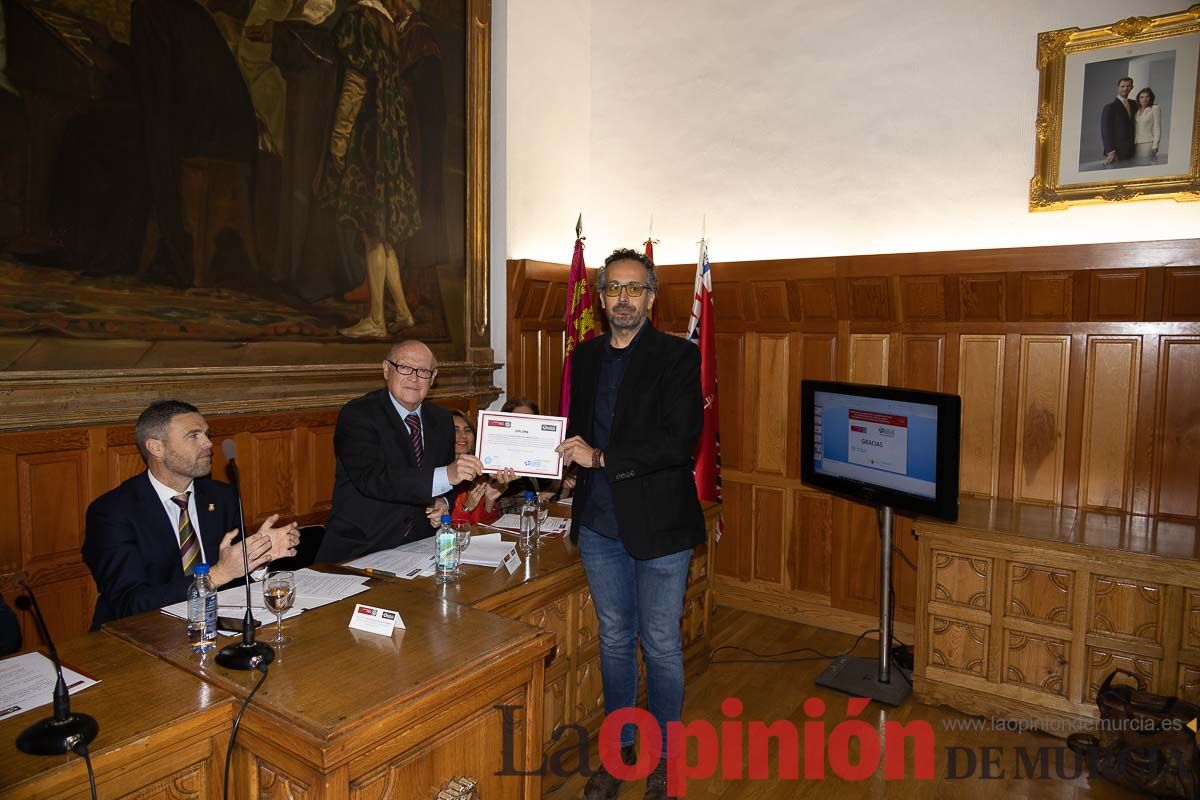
x=1118 y=115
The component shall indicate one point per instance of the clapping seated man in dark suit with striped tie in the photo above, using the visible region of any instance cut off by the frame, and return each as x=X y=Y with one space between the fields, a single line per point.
x=146 y=537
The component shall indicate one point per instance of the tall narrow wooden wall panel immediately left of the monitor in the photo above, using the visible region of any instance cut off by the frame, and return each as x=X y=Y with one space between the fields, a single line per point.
x=771 y=378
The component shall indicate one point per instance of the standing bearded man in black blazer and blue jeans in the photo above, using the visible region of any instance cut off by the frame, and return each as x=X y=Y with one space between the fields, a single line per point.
x=635 y=418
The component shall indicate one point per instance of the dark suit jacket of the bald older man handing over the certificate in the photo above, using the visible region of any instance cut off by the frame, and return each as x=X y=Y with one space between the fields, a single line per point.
x=380 y=492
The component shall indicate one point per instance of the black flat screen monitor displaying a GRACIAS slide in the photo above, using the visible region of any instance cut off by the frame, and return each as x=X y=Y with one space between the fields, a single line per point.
x=883 y=447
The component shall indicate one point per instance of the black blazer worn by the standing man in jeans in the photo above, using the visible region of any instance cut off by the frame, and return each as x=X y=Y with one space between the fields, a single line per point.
x=659 y=417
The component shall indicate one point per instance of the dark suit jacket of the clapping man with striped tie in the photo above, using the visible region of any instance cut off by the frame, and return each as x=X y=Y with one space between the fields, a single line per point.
x=134 y=552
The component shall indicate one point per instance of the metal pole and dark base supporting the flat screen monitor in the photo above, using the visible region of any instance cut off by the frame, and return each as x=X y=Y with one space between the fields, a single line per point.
x=873 y=677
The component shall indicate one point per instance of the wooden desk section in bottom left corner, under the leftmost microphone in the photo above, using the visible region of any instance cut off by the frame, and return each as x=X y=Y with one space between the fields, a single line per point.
x=163 y=732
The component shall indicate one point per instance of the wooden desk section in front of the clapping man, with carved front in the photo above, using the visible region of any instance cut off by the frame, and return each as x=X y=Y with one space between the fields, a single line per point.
x=346 y=714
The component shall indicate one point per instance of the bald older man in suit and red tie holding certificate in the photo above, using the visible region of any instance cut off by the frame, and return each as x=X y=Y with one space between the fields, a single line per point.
x=395 y=461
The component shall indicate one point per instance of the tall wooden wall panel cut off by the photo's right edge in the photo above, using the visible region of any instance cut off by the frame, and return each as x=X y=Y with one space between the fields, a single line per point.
x=1178 y=435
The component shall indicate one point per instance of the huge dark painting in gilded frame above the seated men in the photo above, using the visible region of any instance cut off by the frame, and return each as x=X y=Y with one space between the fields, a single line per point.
x=232 y=191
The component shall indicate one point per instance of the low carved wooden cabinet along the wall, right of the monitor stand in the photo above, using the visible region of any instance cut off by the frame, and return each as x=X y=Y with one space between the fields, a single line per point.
x=1027 y=610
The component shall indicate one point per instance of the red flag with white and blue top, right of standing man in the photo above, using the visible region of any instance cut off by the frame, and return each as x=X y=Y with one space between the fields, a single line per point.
x=701 y=332
